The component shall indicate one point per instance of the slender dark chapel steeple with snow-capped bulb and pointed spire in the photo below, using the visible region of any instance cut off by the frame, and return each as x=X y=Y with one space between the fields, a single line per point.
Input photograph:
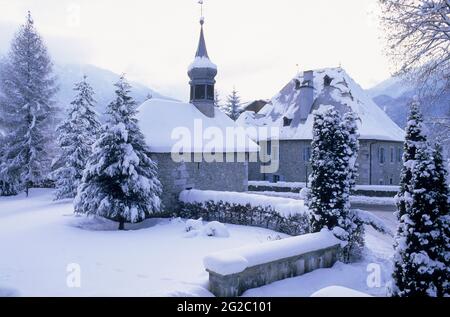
x=202 y=73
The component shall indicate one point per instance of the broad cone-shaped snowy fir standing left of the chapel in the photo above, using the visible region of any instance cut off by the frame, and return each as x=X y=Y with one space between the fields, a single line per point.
x=120 y=181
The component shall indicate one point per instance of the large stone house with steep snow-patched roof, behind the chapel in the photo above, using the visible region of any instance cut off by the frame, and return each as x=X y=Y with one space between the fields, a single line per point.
x=291 y=111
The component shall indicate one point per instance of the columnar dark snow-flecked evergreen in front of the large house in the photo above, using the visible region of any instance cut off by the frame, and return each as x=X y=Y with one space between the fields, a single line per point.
x=330 y=182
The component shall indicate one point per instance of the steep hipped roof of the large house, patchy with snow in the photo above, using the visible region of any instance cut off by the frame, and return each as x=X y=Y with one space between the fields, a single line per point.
x=291 y=109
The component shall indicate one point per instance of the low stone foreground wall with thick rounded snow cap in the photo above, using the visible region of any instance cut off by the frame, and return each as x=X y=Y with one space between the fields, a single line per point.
x=232 y=272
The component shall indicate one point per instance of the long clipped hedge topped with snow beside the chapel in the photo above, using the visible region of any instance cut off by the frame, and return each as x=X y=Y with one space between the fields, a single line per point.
x=280 y=214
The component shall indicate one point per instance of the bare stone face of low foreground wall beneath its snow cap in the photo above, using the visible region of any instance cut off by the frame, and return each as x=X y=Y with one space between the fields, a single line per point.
x=236 y=284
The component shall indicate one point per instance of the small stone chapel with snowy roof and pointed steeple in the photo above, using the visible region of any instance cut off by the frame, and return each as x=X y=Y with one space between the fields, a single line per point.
x=196 y=131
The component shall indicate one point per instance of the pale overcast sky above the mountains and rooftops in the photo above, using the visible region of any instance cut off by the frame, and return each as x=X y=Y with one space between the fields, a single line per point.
x=255 y=43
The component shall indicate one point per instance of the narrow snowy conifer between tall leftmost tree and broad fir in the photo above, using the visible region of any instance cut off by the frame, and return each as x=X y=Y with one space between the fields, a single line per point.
x=76 y=135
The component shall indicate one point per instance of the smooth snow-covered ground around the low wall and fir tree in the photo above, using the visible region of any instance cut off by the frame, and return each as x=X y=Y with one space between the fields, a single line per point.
x=39 y=238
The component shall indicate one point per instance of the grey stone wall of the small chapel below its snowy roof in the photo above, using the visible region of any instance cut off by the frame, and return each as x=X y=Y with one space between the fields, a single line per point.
x=176 y=177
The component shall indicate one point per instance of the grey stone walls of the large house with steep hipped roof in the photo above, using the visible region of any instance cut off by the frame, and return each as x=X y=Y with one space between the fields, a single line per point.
x=294 y=167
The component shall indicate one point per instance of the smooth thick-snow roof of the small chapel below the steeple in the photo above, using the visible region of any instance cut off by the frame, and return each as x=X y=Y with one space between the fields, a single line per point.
x=167 y=123
